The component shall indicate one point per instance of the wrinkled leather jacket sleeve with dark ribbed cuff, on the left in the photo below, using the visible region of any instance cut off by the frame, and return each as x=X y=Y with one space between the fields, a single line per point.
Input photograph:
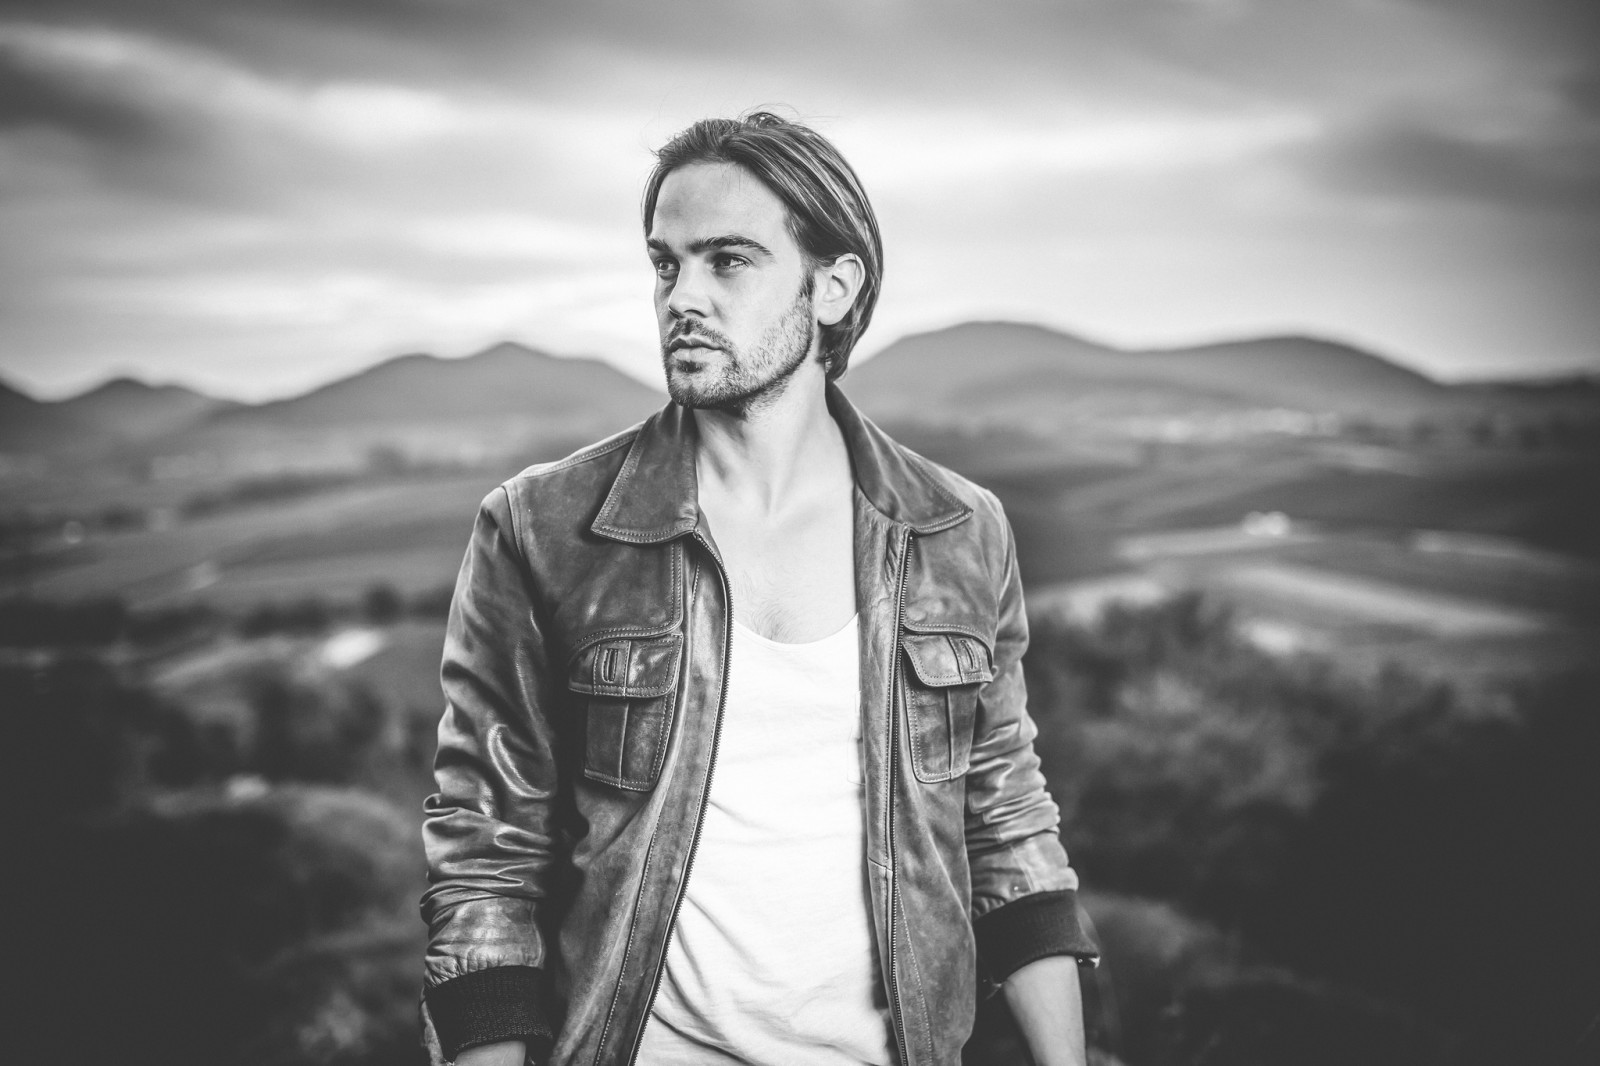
x=490 y=832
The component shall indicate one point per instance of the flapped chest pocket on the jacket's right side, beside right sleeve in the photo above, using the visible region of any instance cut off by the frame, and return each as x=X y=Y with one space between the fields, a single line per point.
x=942 y=700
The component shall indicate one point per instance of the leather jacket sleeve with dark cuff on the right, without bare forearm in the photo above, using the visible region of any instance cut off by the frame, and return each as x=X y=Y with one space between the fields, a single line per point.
x=1025 y=892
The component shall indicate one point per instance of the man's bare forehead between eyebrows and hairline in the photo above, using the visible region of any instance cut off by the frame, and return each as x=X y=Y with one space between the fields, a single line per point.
x=705 y=201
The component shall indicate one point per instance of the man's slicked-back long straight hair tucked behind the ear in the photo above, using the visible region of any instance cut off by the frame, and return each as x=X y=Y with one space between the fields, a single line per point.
x=828 y=209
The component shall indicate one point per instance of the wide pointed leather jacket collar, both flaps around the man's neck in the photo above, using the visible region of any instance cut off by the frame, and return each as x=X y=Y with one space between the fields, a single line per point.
x=655 y=495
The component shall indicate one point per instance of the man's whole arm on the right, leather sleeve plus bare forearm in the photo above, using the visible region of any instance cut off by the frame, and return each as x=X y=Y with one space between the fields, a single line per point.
x=1025 y=892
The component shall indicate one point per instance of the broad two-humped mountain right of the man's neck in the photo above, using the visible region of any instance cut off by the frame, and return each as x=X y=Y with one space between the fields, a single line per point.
x=998 y=367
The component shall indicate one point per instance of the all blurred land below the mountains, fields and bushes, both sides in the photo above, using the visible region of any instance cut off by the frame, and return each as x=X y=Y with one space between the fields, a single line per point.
x=1260 y=667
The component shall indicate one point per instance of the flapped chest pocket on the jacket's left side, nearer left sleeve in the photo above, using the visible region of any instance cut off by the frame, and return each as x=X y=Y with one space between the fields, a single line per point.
x=630 y=695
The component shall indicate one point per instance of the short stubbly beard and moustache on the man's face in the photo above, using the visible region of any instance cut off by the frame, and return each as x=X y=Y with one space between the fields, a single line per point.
x=746 y=380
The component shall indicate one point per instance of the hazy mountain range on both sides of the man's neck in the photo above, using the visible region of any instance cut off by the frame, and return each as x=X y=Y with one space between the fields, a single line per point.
x=516 y=401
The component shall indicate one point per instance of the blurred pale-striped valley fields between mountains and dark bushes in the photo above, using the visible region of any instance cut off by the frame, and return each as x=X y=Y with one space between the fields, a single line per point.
x=1452 y=561
